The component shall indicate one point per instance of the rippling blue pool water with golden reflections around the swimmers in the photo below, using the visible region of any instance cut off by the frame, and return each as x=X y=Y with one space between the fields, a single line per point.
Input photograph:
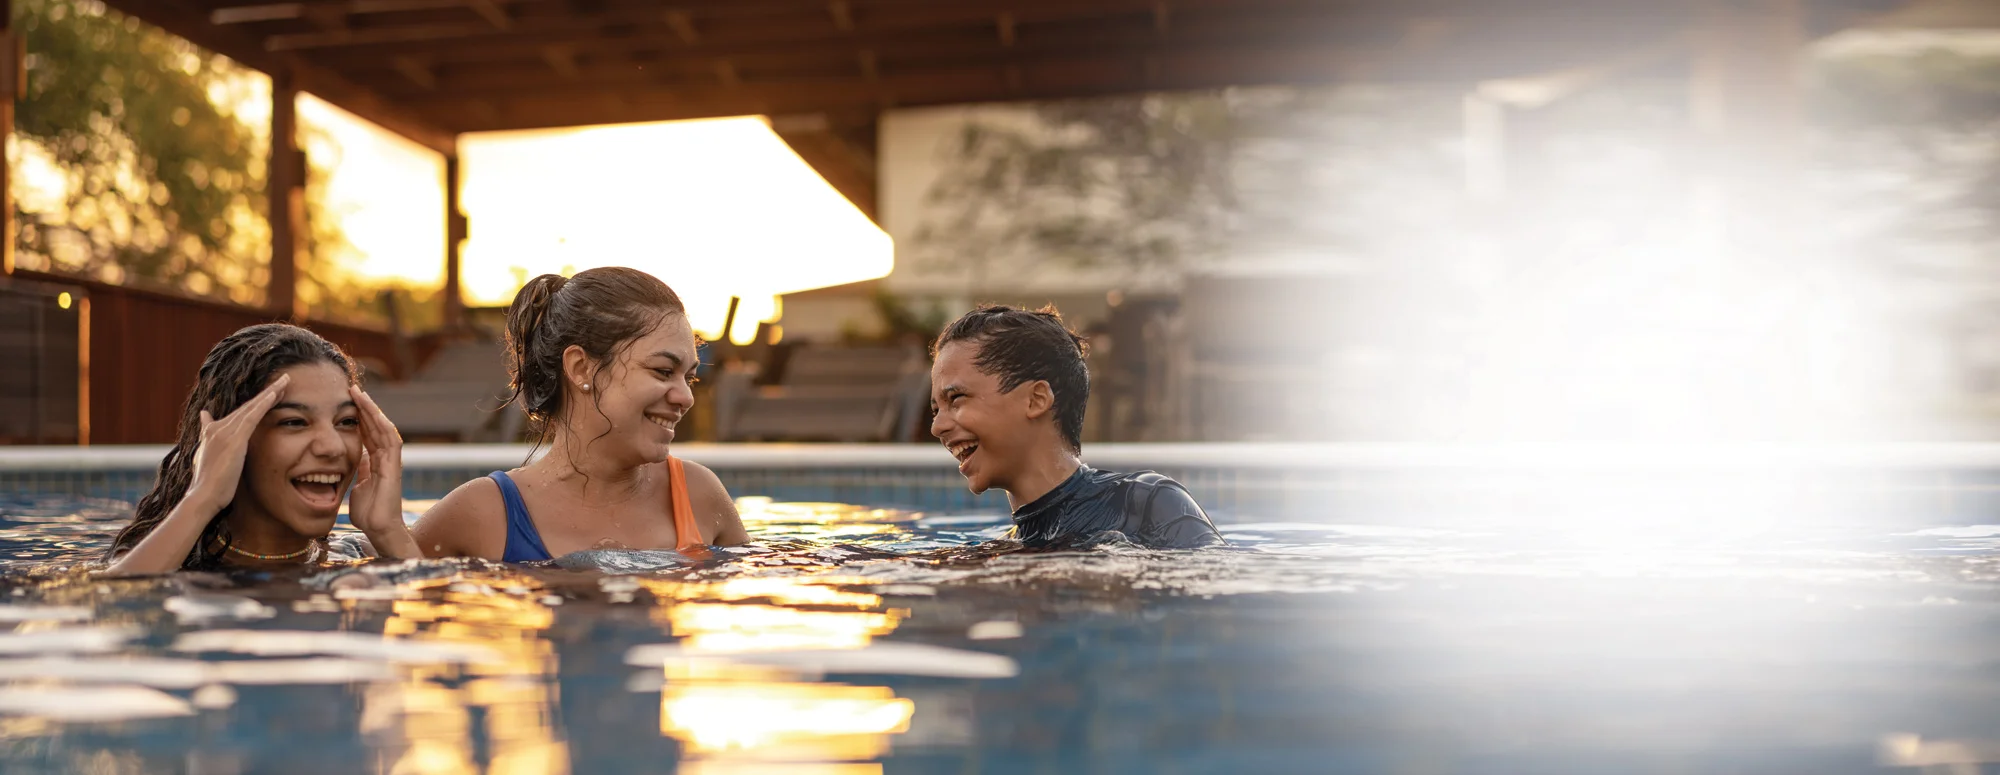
x=855 y=640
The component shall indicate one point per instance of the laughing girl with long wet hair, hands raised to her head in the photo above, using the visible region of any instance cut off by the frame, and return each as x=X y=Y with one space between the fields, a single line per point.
x=273 y=436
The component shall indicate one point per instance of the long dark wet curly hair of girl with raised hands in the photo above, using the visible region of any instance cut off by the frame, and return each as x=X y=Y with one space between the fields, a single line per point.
x=237 y=371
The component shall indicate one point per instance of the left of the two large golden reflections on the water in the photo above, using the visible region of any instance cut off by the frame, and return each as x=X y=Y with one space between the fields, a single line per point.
x=425 y=724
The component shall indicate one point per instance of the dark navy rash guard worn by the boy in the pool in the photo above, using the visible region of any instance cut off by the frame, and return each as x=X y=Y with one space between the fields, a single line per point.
x=1147 y=508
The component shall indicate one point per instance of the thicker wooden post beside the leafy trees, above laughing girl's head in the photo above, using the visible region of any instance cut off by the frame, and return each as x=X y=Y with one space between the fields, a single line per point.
x=287 y=187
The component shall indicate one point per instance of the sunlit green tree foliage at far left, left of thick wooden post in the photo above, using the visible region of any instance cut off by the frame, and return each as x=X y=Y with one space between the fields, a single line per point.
x=159 y=181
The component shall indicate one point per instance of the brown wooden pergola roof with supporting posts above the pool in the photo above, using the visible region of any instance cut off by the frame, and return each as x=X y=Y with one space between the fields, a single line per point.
x=825 y=71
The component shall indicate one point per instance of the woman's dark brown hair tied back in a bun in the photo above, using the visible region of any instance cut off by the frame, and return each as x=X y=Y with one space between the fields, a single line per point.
x=601 y=311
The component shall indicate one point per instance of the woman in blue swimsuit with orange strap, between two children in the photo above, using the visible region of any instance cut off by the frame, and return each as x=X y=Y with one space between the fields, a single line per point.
x=603 y=365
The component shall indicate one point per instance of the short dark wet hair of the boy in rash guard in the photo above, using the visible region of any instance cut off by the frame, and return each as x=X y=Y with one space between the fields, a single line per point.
x=1021 y=347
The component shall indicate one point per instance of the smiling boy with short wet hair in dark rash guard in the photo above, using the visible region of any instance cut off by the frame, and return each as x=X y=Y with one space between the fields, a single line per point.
x=1009 y=390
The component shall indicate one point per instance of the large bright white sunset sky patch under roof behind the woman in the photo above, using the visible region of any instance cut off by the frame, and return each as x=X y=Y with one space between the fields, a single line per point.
x=717 y=209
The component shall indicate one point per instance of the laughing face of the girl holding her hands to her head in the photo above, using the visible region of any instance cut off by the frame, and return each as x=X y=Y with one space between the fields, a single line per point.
x=303 y=454
